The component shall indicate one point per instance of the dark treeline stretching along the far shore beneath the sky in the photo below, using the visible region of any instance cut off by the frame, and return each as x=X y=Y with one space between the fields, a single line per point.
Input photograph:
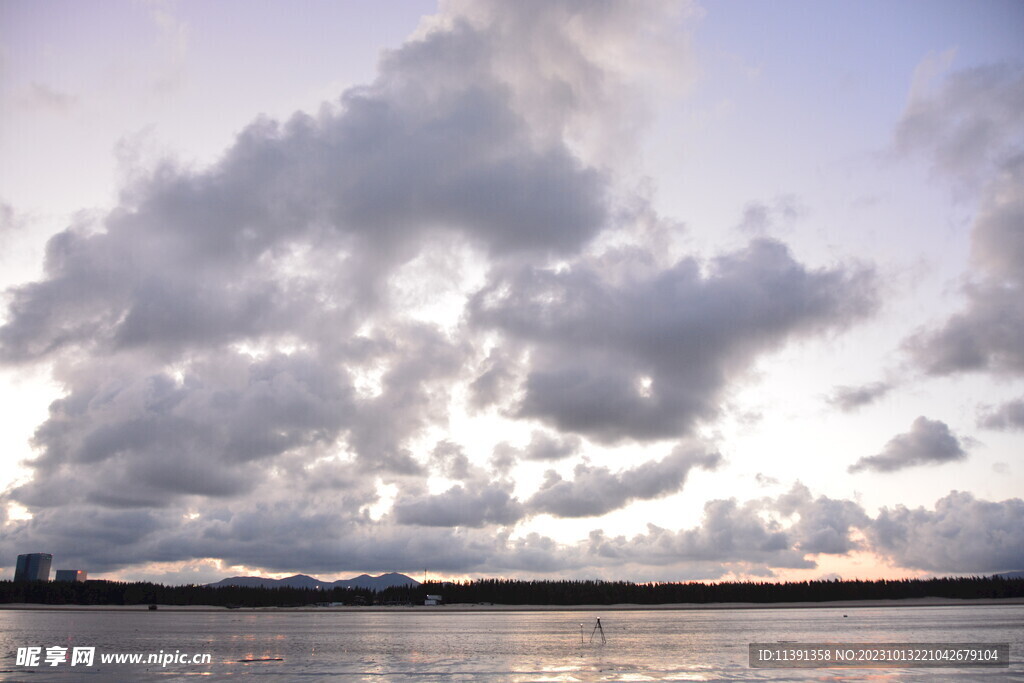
x=510 y=592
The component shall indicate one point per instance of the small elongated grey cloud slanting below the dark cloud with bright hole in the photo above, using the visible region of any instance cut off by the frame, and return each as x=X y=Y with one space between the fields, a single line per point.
x=596 y=491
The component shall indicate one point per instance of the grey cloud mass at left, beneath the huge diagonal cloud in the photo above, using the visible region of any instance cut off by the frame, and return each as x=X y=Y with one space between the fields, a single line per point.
x=122 y=440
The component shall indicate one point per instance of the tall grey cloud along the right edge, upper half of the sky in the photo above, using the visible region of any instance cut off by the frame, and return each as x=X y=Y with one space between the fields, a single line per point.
x=973 y=127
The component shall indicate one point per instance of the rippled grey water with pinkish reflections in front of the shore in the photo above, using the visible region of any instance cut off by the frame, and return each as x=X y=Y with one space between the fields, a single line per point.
x=441 y=645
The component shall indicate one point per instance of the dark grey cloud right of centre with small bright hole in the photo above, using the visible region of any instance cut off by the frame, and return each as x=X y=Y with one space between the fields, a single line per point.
x=648 y=357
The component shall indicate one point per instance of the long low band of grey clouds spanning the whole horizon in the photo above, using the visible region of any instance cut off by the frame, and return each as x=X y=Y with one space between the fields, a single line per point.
x=328 y=531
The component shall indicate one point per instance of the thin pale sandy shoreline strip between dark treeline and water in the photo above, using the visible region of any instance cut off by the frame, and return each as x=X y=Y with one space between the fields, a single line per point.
x=447 y=610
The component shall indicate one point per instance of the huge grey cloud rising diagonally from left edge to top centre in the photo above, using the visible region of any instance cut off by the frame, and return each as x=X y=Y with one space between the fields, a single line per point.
x=320 y=210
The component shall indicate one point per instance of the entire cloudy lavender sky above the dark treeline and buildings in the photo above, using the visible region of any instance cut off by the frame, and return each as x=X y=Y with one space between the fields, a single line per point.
x=646 y=291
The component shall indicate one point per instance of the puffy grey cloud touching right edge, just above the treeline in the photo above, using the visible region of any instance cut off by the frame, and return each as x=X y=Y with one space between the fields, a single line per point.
x=962 y=534
